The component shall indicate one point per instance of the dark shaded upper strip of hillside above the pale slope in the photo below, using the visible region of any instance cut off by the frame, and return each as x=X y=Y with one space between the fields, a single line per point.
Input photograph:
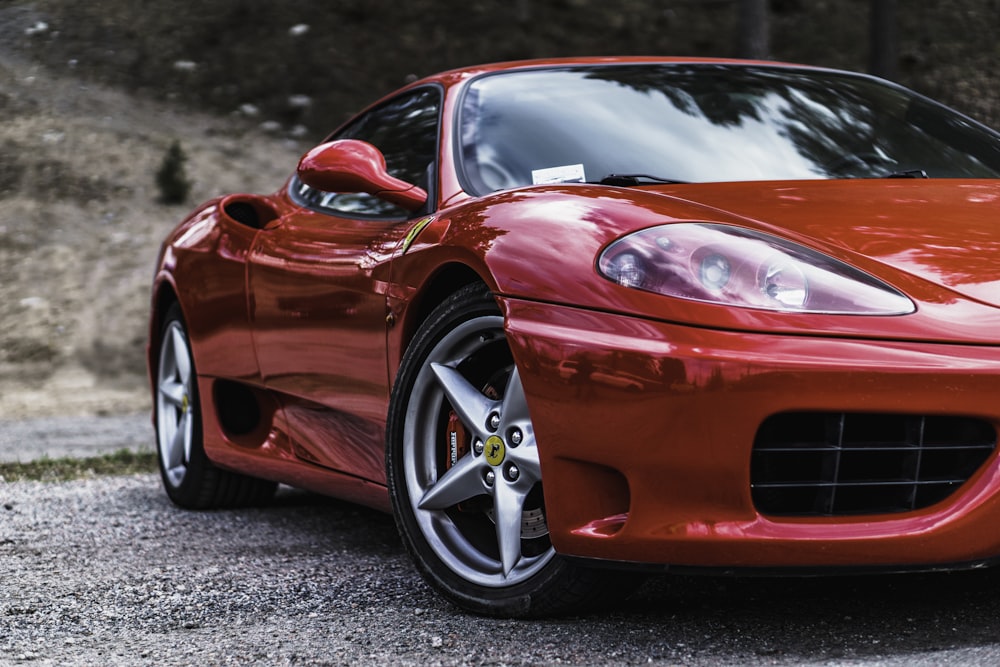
x=309 y=63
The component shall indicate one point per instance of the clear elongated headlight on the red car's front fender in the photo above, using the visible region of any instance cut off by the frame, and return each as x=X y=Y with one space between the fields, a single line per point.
x=742 y=267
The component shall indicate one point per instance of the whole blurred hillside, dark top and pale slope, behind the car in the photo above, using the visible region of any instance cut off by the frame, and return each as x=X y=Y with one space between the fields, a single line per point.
x=94 y=93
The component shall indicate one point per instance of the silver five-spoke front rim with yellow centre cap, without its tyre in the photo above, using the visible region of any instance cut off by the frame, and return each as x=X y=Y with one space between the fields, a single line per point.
x=493 y=547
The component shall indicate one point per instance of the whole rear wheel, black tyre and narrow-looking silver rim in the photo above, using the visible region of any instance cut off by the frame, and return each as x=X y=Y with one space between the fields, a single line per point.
x=189 y=478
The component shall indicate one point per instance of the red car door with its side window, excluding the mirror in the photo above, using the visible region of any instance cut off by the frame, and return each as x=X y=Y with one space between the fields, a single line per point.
x=317 y=280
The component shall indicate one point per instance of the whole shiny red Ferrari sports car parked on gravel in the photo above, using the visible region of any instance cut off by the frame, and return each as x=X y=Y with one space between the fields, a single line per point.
x=567 y=318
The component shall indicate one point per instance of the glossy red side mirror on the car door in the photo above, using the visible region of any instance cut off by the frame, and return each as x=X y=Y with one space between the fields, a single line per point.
x=349 y=165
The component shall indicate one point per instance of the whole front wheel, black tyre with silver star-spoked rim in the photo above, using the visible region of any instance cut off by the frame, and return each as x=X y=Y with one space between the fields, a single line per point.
x=464 y=476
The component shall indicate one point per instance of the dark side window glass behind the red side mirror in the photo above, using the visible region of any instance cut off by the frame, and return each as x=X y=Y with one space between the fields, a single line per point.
x=405 y=129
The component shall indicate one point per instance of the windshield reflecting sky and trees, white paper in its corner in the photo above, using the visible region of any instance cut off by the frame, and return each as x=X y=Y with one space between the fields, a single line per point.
x=708 y=122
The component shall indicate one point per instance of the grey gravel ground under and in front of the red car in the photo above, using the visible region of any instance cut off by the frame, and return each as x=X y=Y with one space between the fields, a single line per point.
x=105 y=571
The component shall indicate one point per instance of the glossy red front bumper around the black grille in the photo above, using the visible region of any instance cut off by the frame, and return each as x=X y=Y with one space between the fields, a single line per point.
x=645 y=432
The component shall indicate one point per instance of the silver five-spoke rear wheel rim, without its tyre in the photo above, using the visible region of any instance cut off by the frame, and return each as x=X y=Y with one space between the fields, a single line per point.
x=174 y=404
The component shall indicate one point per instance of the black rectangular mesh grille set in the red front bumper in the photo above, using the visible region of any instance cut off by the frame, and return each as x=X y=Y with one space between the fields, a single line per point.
x=832 y=464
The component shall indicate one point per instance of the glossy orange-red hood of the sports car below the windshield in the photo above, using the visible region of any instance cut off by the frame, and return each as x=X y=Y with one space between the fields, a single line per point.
x=944 y=231
